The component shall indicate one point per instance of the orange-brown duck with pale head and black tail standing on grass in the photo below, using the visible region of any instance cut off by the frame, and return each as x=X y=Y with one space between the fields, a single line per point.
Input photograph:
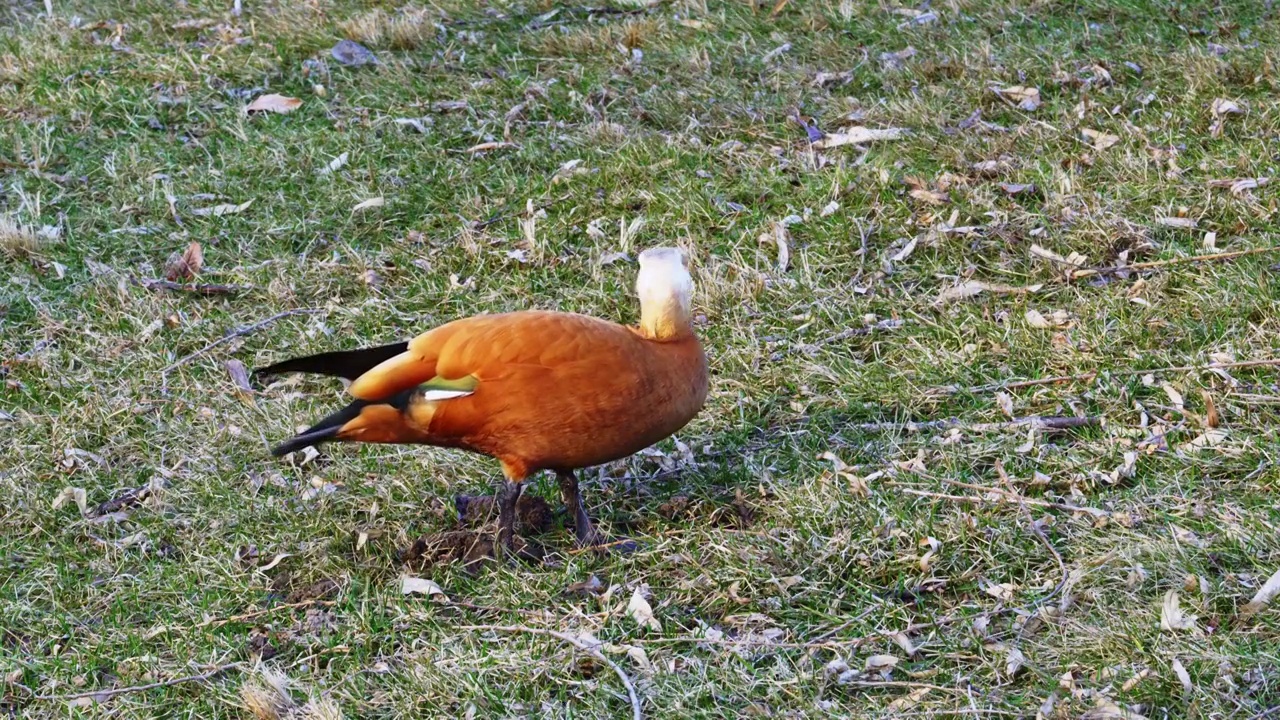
x=534 y=390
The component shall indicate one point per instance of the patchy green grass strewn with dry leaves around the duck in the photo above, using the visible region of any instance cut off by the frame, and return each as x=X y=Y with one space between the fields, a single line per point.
x=769 y=571
